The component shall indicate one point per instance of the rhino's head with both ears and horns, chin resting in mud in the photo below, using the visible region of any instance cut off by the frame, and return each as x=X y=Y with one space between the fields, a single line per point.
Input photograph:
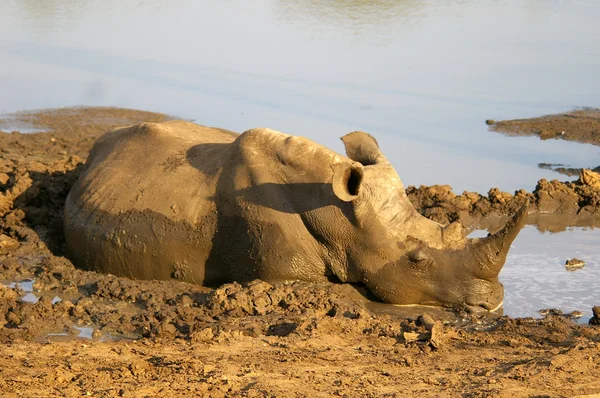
x=405 y=258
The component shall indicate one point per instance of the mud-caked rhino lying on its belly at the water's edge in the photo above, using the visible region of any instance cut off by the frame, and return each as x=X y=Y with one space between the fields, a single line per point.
x=204 y=205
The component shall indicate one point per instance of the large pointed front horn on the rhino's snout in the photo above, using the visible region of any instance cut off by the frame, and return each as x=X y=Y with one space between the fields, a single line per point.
x=492 y=251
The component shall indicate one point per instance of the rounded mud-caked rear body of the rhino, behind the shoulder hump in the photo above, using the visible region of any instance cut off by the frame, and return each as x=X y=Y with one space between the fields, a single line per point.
x=145 y=205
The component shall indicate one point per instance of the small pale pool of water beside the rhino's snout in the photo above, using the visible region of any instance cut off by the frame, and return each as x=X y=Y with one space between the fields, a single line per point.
x=535 y=277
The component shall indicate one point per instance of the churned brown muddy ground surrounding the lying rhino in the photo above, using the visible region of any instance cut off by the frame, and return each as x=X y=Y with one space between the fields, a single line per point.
x=66 y=332
